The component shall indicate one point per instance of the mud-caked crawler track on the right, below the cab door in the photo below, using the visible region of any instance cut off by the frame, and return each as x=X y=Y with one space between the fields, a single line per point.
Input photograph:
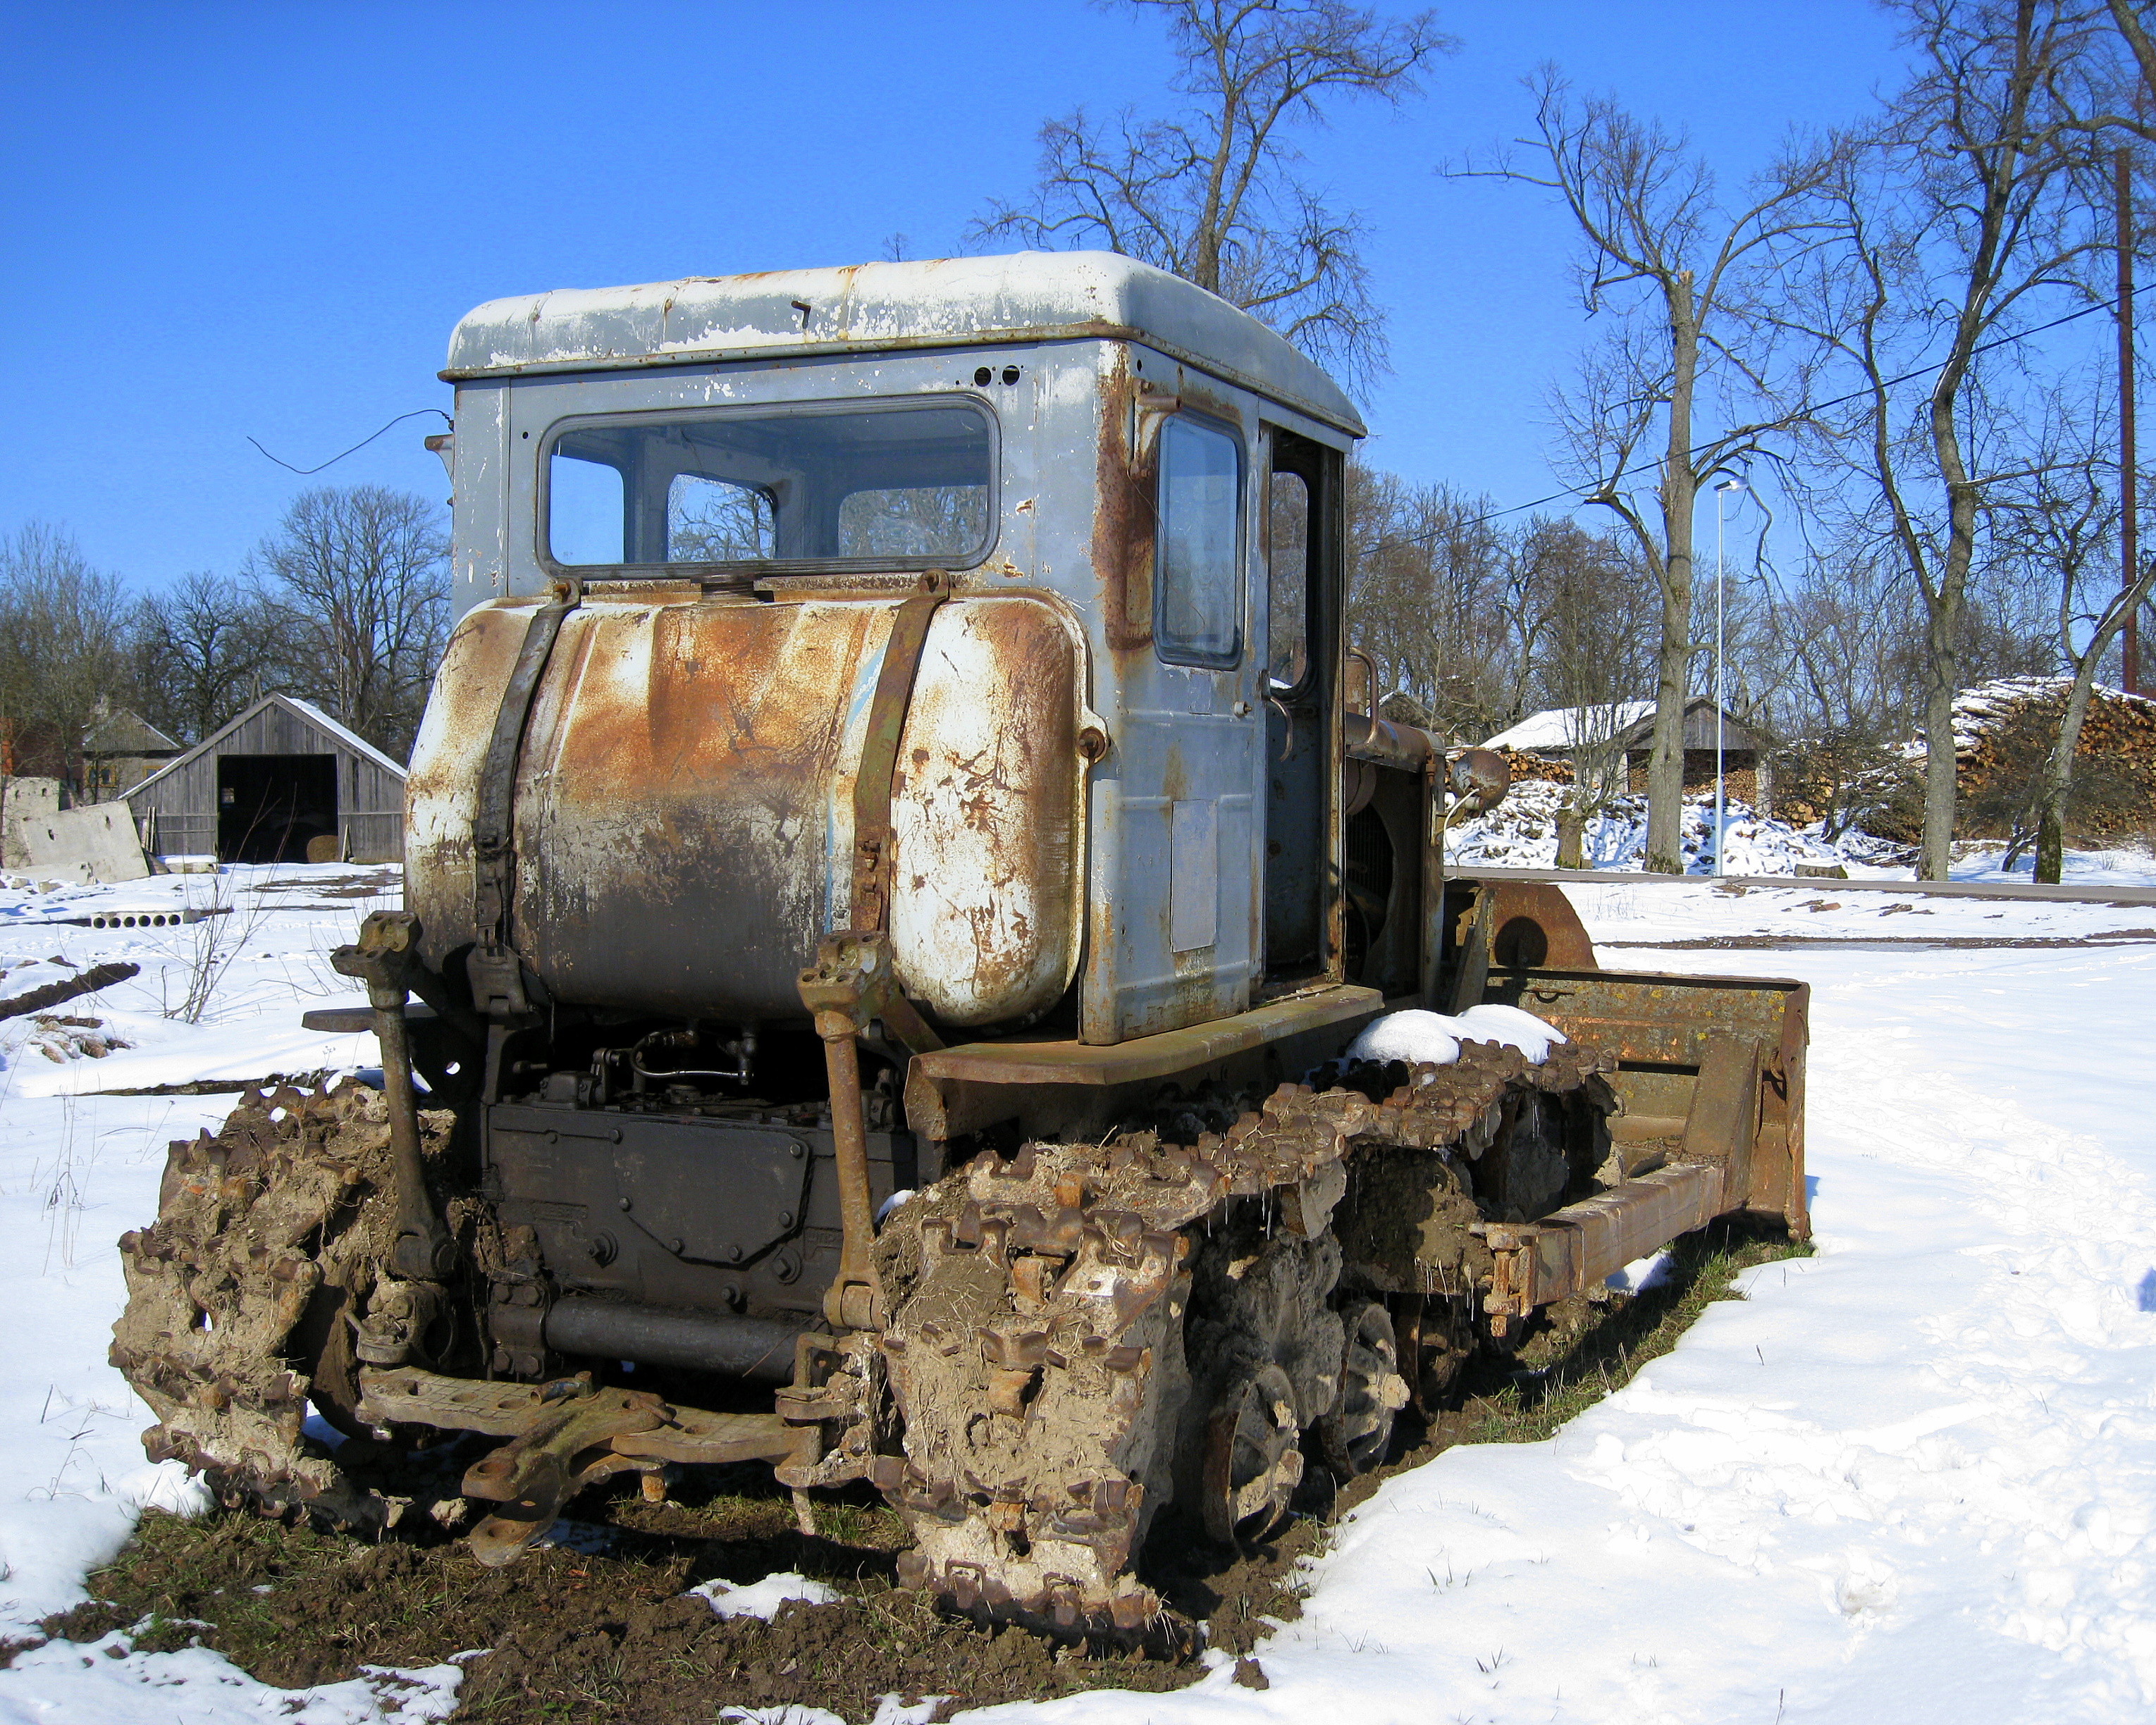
x=1083 y=1334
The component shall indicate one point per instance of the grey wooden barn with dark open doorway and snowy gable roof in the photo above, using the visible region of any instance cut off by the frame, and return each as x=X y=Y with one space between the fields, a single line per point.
x=281 y=784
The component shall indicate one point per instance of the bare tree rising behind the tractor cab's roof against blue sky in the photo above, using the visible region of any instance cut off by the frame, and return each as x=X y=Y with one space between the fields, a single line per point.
x=1213 y=195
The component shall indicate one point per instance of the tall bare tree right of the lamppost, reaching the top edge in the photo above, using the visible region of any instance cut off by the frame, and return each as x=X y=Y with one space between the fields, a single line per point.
x=1954 y=223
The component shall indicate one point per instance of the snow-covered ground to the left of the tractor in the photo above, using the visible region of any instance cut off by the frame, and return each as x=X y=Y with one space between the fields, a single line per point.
x=79 y=1168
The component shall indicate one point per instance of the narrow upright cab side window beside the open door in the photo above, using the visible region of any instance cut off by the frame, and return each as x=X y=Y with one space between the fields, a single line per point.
x=1198 y=564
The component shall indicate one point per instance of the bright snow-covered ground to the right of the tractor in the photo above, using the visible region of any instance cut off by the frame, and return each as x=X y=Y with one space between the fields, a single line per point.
x=1907 y=1480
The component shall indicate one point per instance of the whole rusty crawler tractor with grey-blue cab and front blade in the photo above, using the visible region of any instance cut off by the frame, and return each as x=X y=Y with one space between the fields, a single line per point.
x=896 y=855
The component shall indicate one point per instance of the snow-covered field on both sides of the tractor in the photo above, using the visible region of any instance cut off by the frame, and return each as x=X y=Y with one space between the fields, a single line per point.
x=1907 y=1480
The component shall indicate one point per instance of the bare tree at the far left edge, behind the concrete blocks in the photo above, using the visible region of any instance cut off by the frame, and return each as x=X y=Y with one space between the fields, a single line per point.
x=61 y=629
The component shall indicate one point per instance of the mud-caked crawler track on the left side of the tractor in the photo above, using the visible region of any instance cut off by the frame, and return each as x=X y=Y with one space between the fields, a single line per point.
x=243 y=1297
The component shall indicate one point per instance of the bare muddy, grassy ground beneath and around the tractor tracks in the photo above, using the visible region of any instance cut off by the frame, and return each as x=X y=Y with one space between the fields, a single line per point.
x=598 y=1629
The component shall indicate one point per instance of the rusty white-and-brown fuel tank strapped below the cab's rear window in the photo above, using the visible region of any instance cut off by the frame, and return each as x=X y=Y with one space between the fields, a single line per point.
x=685 y=799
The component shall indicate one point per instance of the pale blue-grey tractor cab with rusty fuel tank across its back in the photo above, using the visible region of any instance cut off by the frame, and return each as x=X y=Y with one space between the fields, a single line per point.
x=1023 y=572
